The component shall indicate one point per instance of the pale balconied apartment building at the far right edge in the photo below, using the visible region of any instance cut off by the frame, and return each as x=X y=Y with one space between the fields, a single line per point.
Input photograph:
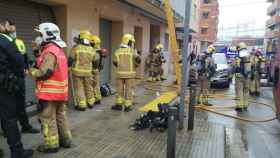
x=273 y=26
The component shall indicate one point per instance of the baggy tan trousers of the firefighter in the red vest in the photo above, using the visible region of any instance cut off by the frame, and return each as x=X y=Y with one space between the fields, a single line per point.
x=54 y=123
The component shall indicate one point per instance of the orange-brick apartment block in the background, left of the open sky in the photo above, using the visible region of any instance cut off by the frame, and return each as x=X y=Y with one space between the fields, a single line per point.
x=208 y=22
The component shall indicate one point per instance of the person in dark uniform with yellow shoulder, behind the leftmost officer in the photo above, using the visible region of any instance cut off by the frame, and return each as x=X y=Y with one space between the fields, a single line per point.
x=21 y=108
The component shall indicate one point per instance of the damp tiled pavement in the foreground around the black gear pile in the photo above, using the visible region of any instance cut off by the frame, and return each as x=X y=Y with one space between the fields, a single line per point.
x=103 y=133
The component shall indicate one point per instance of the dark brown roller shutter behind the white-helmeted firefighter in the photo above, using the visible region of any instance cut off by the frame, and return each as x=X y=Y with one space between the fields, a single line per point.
x=26 y=15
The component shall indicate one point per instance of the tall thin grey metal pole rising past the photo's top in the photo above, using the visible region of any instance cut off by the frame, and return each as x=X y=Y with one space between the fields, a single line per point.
x=184 y=70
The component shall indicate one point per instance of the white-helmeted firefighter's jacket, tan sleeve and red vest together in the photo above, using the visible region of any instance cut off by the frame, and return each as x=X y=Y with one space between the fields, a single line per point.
x=51 y=74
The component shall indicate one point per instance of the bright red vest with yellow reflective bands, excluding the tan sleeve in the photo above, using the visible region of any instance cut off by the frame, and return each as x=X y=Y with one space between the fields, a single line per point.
x=55 y=88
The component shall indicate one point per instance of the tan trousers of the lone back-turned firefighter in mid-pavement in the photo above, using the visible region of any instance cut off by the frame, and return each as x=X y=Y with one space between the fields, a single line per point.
x=125 y=92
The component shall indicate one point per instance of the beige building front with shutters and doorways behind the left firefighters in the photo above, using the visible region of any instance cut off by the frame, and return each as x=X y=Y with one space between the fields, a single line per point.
x=109 y=19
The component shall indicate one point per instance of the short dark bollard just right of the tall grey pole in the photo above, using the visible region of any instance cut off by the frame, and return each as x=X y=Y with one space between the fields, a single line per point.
x=191 y=107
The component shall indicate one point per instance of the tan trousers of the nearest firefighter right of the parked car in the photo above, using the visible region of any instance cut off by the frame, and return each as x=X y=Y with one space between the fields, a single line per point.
x=242 y=89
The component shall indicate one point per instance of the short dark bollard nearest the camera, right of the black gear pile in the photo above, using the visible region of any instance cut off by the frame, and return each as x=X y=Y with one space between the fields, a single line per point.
x=171 y=138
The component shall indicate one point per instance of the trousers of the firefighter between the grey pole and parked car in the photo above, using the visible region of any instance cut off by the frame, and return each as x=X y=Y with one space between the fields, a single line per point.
x=203 y=89
